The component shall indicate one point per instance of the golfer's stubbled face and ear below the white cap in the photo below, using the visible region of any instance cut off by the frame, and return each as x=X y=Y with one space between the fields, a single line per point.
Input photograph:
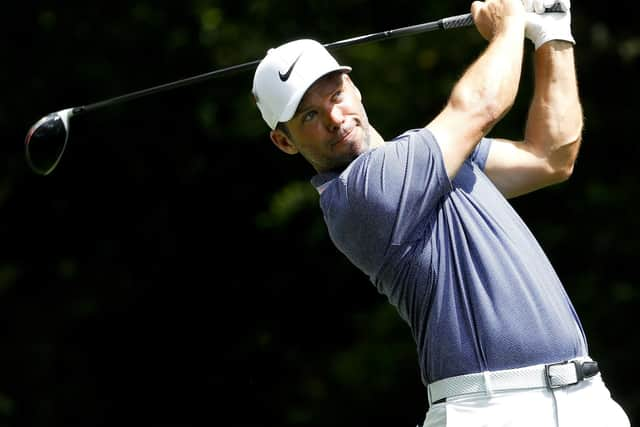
x=330 y=127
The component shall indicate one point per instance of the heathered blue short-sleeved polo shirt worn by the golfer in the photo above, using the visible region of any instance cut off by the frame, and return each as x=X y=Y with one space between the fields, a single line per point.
x=453 y=256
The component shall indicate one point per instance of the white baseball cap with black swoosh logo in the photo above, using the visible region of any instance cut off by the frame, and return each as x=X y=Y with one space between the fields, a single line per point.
x=284 y=75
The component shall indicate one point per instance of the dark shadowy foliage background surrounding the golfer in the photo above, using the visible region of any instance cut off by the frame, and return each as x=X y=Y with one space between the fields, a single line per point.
x=174 y=270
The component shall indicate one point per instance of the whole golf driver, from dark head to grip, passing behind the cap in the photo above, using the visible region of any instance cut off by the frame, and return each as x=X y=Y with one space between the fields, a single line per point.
x=47 y=139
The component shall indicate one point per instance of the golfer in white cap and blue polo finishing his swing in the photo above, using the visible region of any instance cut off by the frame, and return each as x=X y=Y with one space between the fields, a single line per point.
x=426 y=217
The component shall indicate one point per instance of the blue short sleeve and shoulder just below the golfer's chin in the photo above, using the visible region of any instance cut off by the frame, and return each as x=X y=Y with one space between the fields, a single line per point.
x=382 y=199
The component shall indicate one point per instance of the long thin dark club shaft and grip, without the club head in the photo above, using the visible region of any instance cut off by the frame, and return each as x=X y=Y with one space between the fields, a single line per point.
x=441 y=24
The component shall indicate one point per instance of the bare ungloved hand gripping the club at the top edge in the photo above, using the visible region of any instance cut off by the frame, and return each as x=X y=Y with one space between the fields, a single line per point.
x=491 y=16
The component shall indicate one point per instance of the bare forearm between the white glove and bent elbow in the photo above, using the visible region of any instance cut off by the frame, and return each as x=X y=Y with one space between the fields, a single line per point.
x=555 y=117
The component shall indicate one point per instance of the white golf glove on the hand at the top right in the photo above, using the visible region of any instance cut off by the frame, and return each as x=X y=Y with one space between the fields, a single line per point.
x=543 y=27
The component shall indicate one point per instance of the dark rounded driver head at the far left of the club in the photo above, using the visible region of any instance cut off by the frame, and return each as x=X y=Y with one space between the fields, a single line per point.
x=46 y=141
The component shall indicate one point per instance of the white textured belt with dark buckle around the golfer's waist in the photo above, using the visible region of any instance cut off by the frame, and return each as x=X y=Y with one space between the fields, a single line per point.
x=553 y=375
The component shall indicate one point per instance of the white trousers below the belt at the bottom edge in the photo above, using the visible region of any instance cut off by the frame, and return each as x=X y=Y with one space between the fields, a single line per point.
x=587 y=404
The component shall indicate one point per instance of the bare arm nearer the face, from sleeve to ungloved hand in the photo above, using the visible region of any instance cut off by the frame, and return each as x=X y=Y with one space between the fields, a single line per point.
x=487 y=89
